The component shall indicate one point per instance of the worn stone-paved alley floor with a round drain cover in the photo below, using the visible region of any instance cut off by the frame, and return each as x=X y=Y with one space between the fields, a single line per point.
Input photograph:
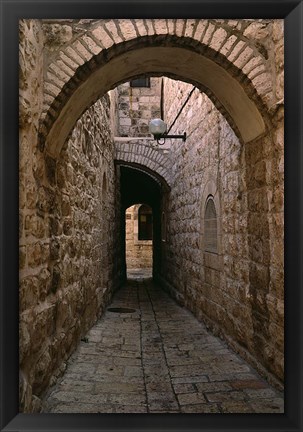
x=157 y=359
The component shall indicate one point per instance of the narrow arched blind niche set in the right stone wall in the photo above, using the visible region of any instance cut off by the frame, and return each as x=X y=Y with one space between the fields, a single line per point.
x=210 y=226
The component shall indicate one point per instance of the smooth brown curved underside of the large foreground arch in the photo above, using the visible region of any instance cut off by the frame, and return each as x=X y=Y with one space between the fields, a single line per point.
x=193 y=67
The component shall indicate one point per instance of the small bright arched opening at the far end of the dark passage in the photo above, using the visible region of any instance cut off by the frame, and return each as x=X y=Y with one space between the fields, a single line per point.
x=139 y=241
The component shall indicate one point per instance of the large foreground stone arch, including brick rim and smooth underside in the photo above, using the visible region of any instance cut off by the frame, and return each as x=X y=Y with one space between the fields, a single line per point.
x=224 y=63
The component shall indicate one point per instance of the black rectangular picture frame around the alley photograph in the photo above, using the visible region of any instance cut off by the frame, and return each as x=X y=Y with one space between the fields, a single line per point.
x=289 y=10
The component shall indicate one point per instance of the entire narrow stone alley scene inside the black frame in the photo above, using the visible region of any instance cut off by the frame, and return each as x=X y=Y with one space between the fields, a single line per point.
x=150 y=143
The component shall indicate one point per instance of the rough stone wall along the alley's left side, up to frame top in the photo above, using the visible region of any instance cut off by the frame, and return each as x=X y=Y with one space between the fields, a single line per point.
x=67 y=232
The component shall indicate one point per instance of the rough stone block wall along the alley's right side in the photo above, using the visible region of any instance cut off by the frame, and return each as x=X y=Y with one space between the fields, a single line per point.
x=238 y=290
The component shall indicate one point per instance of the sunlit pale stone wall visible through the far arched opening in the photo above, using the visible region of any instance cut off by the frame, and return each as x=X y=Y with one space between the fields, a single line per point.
x=138 y=252
